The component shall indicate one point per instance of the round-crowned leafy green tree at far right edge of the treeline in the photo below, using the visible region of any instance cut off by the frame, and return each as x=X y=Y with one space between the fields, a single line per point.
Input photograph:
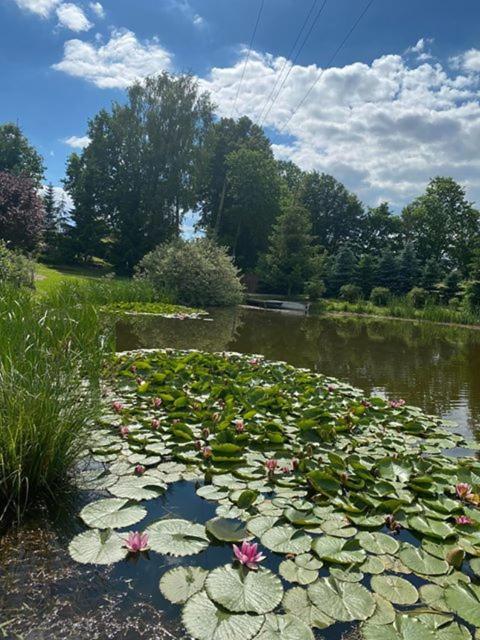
x=443 y=225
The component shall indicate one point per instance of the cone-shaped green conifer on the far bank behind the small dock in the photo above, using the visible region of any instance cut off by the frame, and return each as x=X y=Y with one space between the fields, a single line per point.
x=290 y=261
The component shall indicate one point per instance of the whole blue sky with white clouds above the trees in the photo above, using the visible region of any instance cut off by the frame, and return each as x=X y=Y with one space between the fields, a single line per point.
x=397 y=104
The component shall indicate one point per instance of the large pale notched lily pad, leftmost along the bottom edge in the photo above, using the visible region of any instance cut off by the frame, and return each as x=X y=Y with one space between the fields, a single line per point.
x=205 y=621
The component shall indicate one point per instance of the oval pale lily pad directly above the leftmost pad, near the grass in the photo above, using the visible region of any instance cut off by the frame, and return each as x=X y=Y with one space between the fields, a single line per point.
x=111 y=513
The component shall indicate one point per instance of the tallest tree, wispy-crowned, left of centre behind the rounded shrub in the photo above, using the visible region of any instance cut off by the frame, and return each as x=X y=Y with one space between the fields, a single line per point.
x=138 y=176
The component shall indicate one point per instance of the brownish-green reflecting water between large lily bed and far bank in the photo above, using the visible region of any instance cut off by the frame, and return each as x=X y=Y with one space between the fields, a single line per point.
x=432 y=366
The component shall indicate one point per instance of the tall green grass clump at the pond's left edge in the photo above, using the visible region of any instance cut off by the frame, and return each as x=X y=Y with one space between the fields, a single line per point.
x=52 y=350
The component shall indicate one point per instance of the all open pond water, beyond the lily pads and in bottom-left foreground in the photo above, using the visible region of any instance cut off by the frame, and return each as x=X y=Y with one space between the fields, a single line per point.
x=44 y=594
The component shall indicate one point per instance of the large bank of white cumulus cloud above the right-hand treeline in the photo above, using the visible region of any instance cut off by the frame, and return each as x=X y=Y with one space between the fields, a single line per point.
x=383 y=128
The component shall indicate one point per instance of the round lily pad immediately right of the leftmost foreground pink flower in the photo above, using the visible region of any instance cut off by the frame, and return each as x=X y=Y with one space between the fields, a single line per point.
x=177 y=537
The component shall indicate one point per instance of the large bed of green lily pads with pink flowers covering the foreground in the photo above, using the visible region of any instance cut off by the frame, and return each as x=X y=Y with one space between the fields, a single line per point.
x=354 y=499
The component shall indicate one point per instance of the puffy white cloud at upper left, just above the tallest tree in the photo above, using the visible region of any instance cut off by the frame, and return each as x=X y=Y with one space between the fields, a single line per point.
x=116 y=64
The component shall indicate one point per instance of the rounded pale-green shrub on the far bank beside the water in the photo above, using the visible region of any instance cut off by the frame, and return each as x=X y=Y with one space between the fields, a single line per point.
x=196 y=273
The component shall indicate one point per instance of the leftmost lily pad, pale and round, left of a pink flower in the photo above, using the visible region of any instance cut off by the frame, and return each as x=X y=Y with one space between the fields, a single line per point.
x=97 y=547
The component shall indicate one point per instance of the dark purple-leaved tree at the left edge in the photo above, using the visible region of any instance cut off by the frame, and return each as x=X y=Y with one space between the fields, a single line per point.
x=21 y=212
